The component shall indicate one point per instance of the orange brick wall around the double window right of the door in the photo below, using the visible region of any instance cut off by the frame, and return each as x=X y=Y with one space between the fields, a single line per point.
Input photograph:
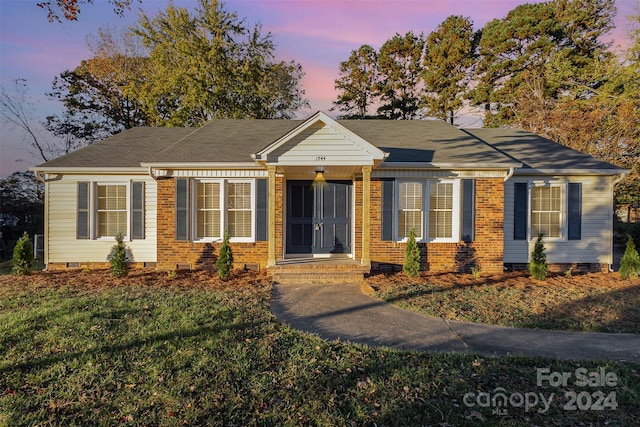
x=486 y=250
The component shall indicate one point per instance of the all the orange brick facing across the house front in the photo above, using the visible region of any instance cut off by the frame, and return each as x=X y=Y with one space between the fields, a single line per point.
x=486 y=250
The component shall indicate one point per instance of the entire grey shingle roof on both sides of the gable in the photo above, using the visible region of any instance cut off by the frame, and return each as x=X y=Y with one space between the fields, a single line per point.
x=424 y=141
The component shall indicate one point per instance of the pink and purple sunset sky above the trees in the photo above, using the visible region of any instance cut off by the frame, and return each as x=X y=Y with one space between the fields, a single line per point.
x=317 y=34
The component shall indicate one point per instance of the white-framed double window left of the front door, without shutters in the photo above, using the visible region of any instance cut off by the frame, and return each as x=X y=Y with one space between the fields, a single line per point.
x=224 y=205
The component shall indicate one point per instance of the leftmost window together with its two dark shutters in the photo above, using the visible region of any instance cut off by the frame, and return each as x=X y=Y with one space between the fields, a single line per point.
x=105 y=210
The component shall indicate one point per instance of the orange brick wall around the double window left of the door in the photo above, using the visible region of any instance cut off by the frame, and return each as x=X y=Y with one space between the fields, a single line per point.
x=174 y=254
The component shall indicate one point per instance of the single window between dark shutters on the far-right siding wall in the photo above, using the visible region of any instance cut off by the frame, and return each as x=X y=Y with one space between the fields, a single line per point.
x=546 y=218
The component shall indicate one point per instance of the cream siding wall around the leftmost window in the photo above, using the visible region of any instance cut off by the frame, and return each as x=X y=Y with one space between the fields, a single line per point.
x=61 y=242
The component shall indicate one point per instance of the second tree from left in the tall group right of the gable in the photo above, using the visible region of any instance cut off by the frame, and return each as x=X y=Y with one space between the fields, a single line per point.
x=399 y=67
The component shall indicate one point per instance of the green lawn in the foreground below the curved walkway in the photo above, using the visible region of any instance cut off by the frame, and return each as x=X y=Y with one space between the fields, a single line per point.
x=144 y=354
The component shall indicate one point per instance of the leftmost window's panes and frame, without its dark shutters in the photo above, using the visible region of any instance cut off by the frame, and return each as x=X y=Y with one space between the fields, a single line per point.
x=111 y=210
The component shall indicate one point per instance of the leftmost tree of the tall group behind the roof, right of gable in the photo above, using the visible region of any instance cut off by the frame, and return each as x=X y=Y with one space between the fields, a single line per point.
x=359 y=76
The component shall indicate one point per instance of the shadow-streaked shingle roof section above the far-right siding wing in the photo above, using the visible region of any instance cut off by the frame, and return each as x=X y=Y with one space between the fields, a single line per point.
x=536 y=152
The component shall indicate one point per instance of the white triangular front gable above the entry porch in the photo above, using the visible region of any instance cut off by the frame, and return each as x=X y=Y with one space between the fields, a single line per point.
x=320 y=141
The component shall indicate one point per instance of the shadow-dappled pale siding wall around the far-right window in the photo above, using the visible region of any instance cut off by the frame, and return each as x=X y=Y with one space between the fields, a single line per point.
x=594 y=245
